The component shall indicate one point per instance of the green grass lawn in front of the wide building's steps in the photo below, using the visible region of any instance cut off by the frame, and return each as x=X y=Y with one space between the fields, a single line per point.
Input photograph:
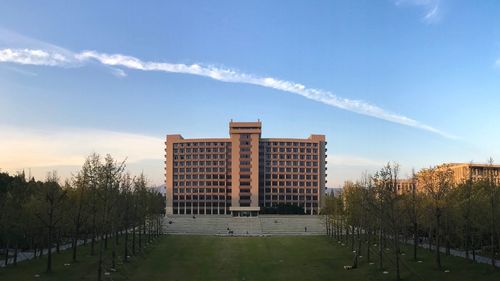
x=248 y=258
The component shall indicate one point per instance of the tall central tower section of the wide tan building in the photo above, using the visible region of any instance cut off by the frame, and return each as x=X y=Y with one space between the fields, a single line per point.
x=245 y=138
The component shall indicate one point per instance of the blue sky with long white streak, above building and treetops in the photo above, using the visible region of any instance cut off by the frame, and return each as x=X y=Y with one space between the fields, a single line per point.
x=415 y=82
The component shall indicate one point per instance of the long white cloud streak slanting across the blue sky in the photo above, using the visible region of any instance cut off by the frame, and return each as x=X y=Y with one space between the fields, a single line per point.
x=119 y=61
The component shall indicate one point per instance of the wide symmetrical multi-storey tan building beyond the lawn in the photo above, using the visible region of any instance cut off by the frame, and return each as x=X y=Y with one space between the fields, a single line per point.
x=243 y=174
